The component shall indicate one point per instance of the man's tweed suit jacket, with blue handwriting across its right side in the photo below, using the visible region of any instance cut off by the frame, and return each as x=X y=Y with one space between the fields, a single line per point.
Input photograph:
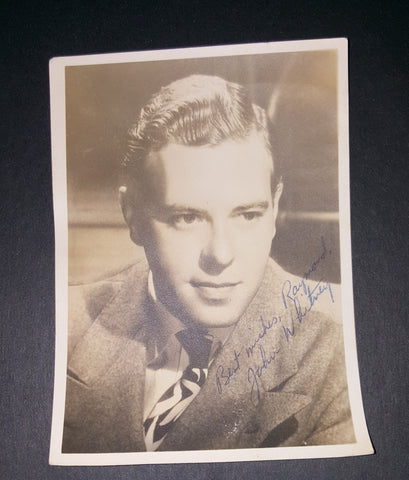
x=279 y=379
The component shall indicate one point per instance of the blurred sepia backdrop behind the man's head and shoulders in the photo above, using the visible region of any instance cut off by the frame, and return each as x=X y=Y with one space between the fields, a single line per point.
x=299 y=92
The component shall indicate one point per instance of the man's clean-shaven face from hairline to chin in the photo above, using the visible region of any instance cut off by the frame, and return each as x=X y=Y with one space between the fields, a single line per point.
x=211 y=220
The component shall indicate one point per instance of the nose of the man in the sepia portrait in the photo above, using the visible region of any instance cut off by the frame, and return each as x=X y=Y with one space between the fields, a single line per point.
x=218 y=253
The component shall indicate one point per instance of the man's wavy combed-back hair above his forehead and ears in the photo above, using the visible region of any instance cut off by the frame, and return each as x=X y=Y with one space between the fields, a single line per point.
x=198 y=110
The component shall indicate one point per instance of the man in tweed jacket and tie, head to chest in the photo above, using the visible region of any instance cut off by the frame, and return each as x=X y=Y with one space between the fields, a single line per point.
x=201 y=195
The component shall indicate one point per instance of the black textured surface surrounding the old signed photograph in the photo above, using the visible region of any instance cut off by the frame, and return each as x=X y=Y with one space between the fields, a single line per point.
x=33 y=32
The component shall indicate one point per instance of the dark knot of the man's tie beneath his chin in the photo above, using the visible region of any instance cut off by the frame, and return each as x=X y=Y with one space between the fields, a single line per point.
x=197 y=344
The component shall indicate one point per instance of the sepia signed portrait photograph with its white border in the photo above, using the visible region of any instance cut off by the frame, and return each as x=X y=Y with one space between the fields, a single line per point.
x=204 y=303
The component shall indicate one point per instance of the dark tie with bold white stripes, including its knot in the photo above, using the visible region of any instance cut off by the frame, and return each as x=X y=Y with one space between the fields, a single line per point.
x=175 y=400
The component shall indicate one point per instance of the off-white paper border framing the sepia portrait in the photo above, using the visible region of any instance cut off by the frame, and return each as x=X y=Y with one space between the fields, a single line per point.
x=363 y=445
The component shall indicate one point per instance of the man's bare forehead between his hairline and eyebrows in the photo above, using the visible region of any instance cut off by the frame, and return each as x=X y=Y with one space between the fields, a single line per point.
x=231 y=172
